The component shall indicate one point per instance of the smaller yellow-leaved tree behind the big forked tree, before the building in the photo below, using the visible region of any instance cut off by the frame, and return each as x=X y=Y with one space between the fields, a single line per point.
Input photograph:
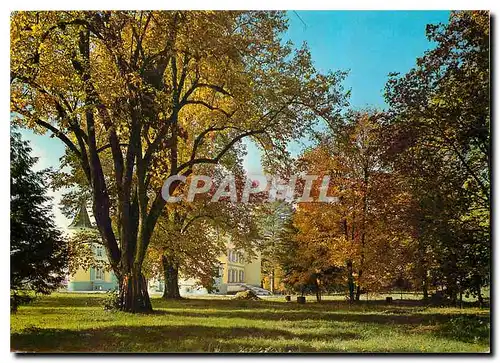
x=191 y=236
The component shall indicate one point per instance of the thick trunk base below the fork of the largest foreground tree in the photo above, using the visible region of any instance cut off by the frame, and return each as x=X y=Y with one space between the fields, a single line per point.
x=134 y=297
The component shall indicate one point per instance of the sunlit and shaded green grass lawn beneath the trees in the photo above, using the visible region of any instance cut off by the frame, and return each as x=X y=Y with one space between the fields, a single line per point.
x=78 y=323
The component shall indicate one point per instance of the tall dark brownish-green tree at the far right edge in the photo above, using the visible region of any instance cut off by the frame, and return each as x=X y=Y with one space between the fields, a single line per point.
x=440 y=131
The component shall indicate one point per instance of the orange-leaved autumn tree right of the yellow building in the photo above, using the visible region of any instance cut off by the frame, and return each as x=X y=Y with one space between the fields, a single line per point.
x=361 y=233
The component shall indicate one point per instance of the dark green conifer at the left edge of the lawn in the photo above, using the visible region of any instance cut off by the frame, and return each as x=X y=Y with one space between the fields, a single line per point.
x=38 y=251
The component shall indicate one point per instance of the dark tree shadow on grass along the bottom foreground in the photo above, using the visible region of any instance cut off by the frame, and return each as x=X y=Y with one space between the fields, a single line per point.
x=185 y=338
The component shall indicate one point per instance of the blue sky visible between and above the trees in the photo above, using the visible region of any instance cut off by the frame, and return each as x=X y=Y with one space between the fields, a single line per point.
x=369 y=44
